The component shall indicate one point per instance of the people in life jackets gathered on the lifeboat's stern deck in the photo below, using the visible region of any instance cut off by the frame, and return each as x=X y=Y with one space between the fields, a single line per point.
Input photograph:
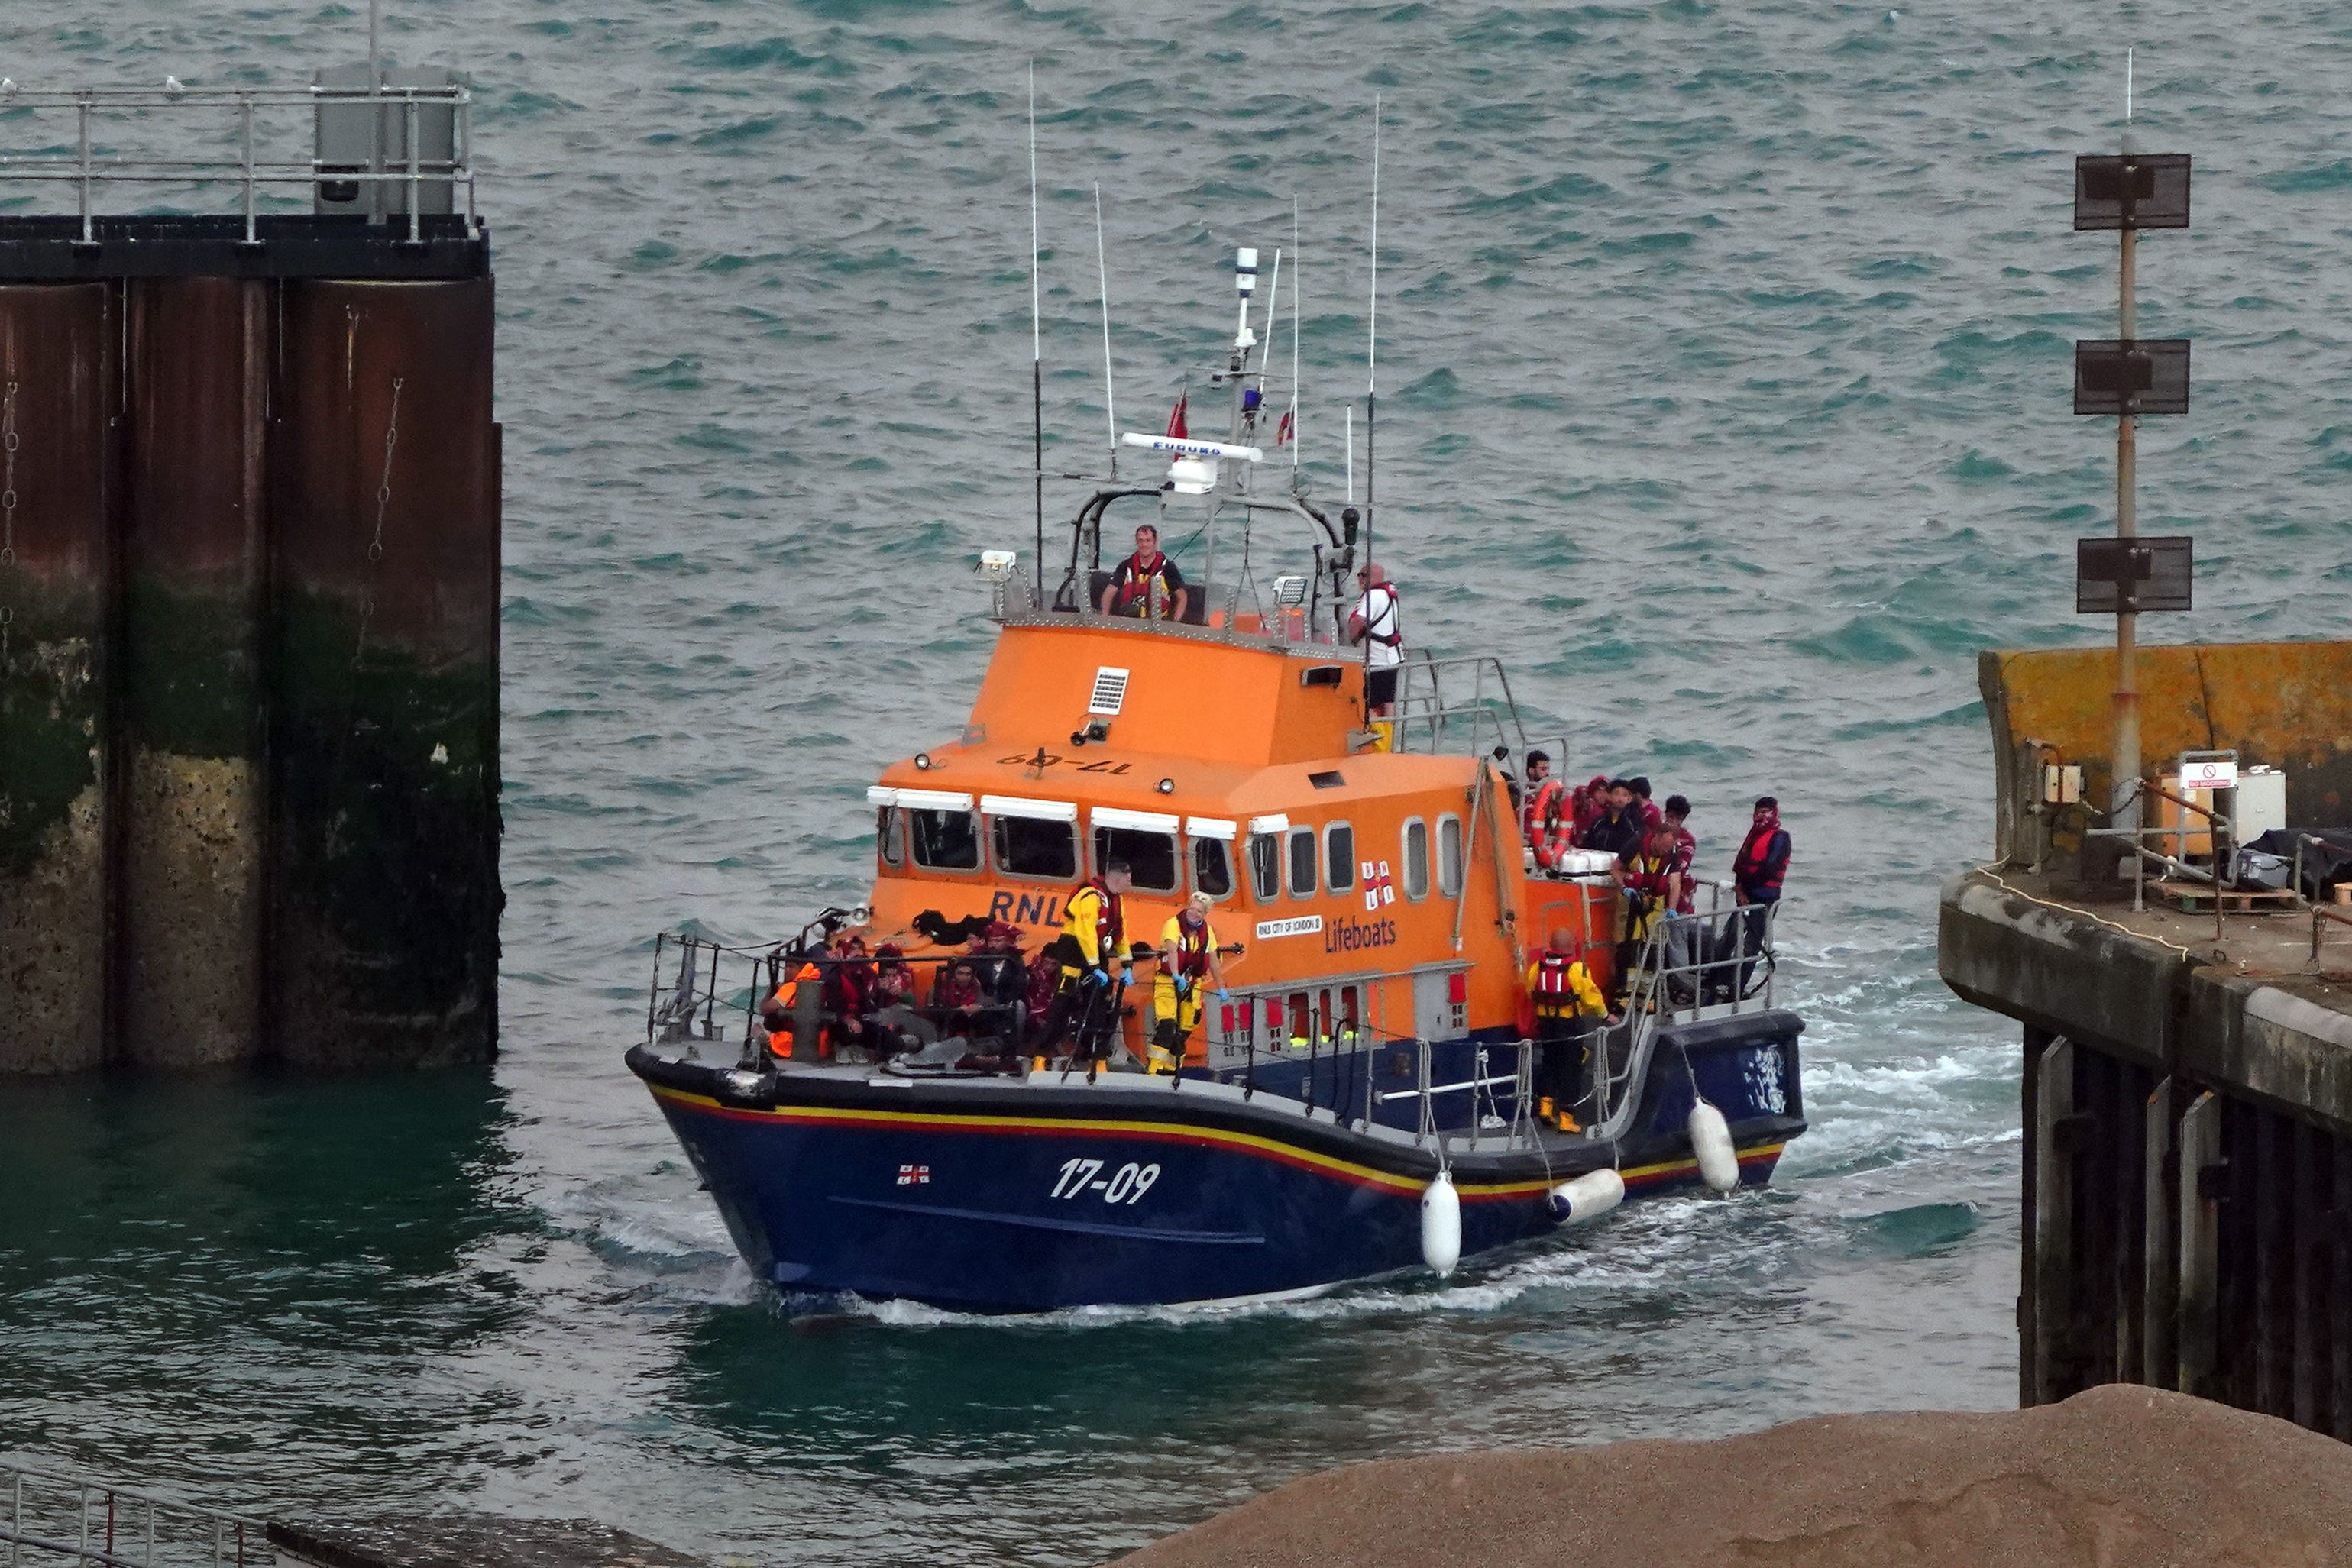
x=1652 y=869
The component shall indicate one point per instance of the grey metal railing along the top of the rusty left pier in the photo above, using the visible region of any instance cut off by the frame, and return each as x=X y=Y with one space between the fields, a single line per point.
x=107 y=121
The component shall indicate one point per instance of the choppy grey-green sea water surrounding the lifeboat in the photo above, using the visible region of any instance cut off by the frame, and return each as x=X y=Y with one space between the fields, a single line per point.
x=1725 y=394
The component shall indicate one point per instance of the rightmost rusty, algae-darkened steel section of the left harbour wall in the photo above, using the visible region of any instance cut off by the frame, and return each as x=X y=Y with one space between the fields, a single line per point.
x=385 y=890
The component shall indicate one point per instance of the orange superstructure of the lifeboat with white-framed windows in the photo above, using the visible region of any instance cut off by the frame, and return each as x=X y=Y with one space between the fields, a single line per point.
x=1372 y=892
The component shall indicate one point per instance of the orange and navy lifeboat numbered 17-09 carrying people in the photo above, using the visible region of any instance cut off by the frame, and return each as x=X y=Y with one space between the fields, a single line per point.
x=961 y=1092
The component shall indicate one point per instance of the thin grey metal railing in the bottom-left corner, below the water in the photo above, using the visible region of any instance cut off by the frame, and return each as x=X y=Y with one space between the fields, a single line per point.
x=62 y=1517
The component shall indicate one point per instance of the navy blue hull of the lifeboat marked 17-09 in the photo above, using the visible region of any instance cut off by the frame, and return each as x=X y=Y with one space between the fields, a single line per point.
x=994 y=1195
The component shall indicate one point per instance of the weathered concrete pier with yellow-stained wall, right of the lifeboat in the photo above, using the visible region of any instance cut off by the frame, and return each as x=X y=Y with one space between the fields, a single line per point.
x=2189 y=1076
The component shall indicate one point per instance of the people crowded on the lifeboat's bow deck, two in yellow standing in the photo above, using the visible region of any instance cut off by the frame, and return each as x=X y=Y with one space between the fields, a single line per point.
x=994 y=1007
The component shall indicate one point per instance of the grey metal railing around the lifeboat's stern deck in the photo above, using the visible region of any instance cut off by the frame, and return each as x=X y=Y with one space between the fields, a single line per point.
x=1688 y=967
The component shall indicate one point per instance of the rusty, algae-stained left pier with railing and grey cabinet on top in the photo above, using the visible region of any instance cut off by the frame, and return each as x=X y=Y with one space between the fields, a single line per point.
x=248 y=587
